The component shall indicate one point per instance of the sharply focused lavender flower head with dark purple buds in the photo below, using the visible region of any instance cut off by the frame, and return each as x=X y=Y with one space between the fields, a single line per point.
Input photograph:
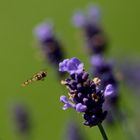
x=85 y=95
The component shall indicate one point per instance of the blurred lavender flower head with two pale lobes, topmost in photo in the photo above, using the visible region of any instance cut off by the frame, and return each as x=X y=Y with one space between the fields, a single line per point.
x=96 y=41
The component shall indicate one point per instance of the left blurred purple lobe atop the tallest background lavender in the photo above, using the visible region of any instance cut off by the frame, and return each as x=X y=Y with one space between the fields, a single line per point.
x=79 y=19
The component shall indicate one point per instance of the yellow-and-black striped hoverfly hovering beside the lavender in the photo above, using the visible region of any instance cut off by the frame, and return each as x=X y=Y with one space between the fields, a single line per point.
x=36 y=77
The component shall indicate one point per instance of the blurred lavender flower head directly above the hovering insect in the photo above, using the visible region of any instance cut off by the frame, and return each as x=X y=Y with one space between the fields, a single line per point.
x=50 y=45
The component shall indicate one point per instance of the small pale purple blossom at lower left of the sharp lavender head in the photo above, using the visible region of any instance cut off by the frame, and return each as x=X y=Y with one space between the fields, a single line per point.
x=67 y=103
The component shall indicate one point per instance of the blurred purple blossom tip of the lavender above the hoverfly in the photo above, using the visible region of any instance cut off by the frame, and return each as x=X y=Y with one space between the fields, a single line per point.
x=44 y=31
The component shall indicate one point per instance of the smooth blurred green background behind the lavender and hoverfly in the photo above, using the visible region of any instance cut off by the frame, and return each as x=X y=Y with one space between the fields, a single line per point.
x=18 y=62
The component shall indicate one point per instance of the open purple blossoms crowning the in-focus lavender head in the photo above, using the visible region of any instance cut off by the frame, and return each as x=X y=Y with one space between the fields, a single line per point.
x=71 y=66
